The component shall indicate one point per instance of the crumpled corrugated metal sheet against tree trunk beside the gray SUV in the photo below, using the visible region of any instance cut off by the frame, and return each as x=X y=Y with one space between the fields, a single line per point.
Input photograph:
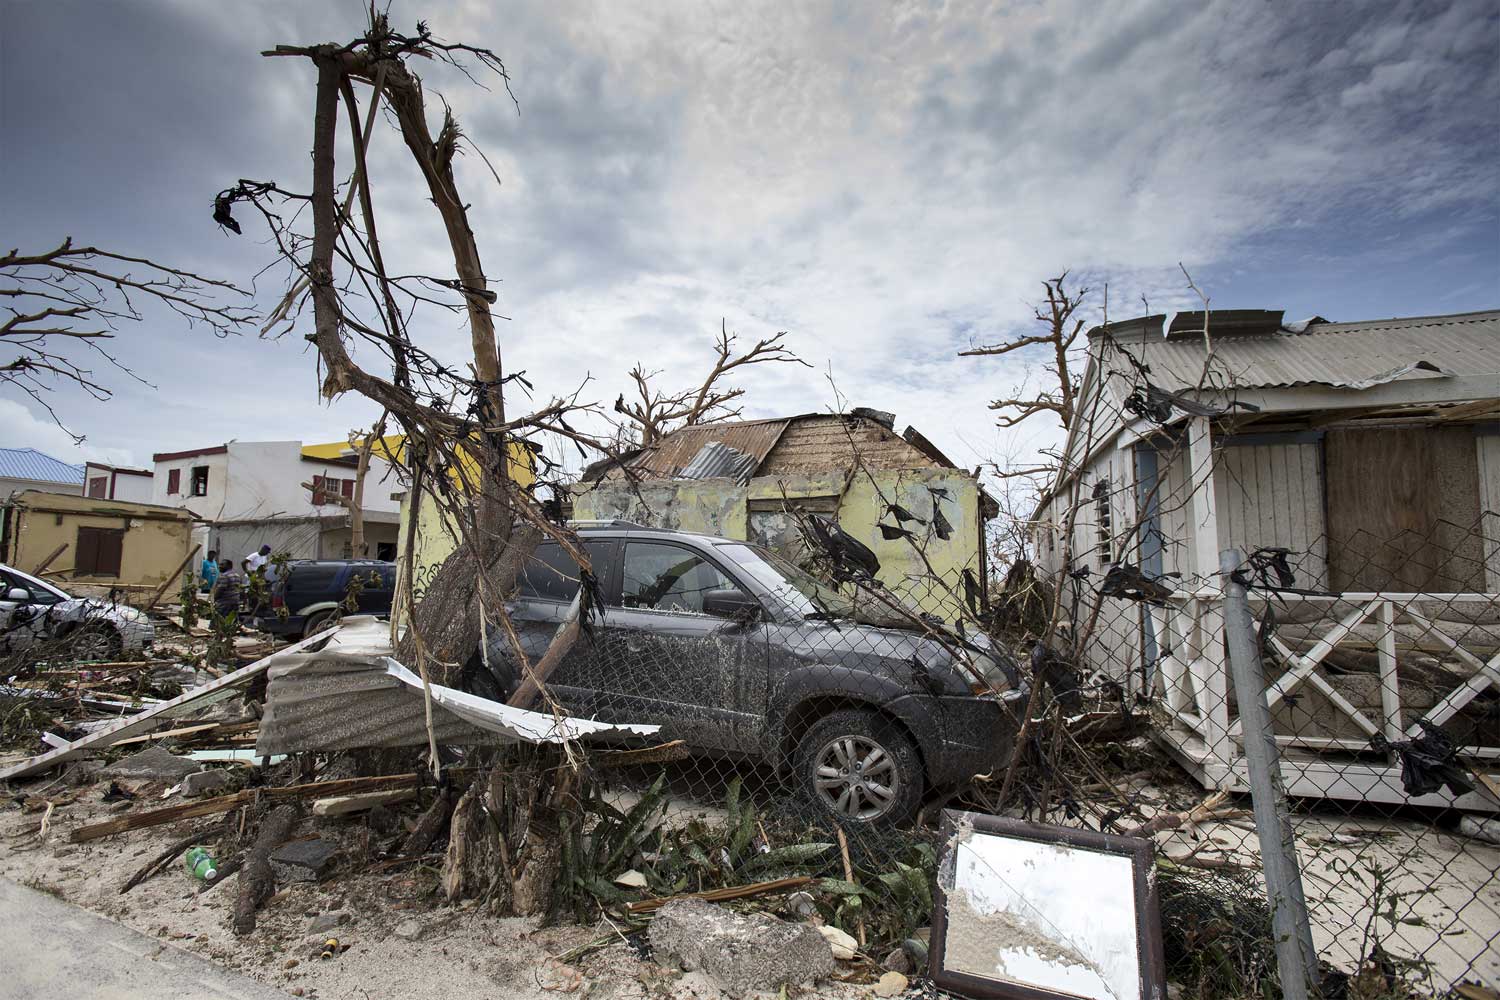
x=353 y=695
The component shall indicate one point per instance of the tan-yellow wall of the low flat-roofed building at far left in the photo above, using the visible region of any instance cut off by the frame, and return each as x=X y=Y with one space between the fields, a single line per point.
x=155 y=542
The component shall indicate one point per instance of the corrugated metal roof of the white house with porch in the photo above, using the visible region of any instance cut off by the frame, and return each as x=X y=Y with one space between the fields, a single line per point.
x=1346 y=355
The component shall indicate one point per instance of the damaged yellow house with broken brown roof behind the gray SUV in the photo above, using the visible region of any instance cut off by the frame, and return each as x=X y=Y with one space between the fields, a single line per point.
x=749 y=479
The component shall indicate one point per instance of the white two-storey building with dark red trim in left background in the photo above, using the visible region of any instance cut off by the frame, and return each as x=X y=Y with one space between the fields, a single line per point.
x=253 y=494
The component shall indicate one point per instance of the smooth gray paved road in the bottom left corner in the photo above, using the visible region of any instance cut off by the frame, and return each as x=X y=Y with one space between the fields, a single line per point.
x=55 y=951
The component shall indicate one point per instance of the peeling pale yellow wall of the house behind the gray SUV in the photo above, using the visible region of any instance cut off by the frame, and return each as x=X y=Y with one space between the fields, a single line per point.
x=724 y=507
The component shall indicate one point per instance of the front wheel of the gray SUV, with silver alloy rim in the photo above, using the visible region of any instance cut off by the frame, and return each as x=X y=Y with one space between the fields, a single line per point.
x=860 y=768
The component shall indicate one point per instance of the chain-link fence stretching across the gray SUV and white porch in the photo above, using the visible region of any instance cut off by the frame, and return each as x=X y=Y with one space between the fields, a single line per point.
x=820 y=738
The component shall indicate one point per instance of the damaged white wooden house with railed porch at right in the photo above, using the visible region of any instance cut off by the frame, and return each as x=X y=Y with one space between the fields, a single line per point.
x=1370 y=452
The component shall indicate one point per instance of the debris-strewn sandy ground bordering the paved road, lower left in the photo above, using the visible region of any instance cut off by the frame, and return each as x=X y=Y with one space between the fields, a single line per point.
x=452 y=953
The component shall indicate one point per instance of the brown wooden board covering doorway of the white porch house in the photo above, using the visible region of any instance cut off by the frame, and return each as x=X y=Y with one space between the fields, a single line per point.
x=1403 y=510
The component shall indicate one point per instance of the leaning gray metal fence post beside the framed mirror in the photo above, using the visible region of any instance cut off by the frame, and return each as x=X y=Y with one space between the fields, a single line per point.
x=1289 y=912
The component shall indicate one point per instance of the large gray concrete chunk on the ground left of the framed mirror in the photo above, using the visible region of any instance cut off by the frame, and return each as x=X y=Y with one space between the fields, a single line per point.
x=743 y=953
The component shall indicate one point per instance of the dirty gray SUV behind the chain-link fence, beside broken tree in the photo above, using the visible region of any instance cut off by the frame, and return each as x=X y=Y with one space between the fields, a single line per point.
x=739 y=653
